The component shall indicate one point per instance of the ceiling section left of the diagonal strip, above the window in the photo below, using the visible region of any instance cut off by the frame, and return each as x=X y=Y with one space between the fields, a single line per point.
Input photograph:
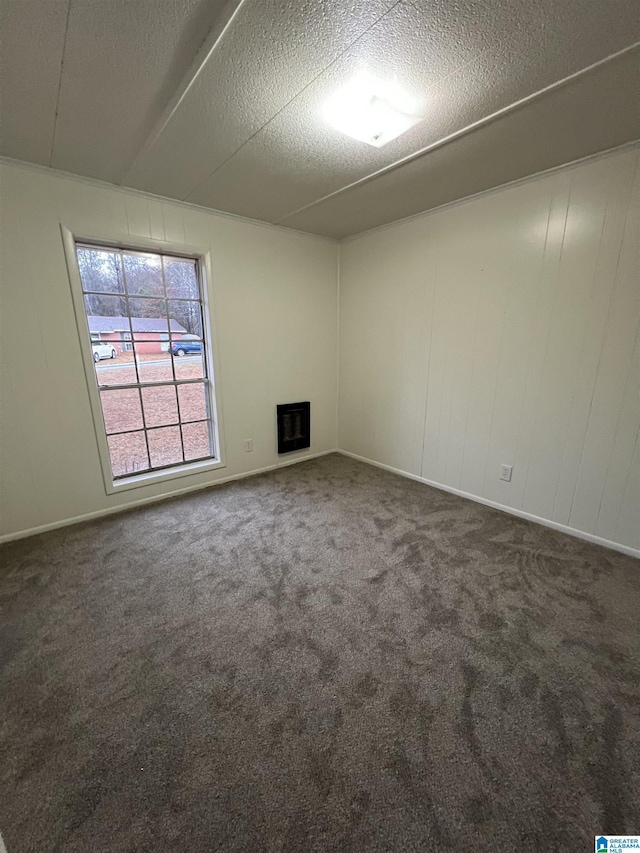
x=83 y=82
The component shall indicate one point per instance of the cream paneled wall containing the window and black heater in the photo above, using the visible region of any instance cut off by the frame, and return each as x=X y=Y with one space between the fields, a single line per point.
x=275 y=301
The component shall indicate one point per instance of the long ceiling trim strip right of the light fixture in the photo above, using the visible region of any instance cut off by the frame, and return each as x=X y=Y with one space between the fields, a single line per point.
x=465 y=130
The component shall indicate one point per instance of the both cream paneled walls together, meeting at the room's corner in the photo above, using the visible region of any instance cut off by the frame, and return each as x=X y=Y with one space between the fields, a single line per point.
x=502 y=329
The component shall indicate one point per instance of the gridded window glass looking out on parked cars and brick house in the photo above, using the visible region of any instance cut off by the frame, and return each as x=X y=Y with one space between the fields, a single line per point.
x=153 y=367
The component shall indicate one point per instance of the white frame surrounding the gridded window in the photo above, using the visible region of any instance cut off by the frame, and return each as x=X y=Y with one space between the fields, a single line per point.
x=203 y=256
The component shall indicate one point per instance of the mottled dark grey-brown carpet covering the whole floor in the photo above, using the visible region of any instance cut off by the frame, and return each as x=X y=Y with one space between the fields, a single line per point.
x=324 y=658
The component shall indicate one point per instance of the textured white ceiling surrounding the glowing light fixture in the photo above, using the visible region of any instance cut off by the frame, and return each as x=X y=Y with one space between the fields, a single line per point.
x=220 y=104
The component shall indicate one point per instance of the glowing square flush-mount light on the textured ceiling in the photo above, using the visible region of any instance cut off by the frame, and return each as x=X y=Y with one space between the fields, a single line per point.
x=371 y=110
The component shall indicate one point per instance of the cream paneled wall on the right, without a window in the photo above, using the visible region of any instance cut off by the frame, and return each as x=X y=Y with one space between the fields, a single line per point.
x=505 y=330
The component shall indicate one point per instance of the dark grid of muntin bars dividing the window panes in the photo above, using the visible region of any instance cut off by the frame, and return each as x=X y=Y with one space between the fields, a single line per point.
x=203 y=380
